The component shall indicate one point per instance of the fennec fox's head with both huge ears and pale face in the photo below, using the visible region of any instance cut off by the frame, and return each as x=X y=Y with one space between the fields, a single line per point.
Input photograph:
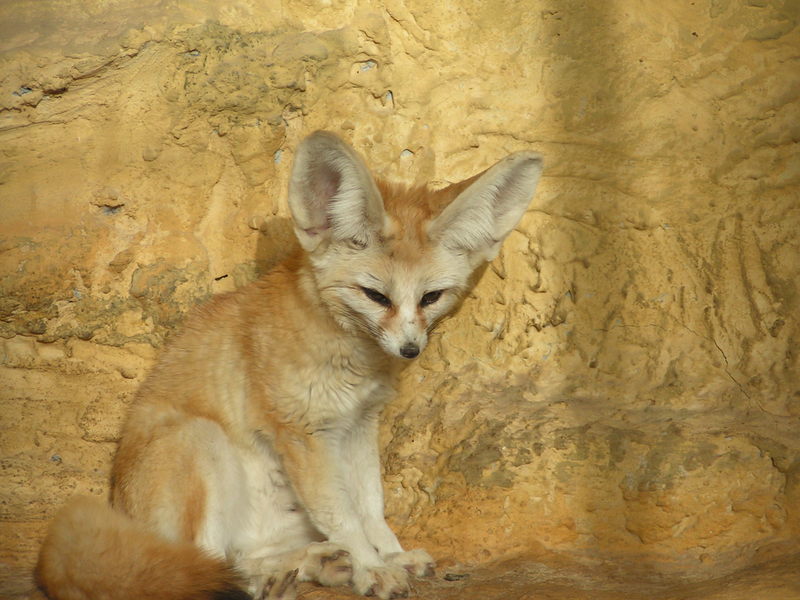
x=391 y=262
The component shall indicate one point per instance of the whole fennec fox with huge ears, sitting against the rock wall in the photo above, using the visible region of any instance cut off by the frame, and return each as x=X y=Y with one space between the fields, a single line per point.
x=249 y=459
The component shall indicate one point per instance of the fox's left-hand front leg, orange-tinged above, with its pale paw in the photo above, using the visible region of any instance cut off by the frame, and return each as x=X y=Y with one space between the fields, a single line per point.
x=315 y=464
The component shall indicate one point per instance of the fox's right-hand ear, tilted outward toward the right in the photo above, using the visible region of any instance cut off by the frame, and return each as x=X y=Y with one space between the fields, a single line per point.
x=483 y=214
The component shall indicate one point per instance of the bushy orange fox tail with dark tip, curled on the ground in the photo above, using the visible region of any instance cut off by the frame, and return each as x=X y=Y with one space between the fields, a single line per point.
x=93 y=552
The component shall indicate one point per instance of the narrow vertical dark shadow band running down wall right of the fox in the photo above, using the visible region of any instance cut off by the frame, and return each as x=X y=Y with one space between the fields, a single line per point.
x=591 y=472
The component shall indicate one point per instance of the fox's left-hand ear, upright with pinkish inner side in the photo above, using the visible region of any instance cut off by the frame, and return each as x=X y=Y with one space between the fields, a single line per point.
x=332 y=195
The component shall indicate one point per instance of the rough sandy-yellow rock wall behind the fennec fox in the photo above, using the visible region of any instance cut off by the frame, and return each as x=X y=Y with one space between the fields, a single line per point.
x=623 y=380
